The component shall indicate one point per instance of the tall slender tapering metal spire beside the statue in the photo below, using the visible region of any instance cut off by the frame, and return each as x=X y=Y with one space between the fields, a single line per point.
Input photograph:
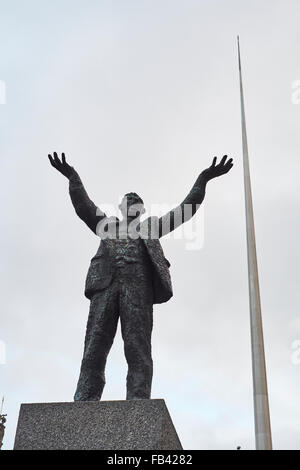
x=263 y=437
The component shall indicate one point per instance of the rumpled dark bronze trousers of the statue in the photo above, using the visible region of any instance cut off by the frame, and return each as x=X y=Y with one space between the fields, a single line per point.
x=130 y=298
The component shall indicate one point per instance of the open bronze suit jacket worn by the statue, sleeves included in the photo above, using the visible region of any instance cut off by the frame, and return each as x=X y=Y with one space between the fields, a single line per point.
x=101 y=271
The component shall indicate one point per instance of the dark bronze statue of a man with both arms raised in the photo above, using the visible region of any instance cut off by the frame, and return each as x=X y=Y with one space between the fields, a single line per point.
x=128 y=274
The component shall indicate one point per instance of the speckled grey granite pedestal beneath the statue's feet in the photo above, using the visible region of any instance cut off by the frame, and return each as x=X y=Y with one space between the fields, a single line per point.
x=101 y=425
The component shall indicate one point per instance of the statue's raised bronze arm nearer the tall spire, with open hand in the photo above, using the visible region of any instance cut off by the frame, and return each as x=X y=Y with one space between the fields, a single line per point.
x=187 y=209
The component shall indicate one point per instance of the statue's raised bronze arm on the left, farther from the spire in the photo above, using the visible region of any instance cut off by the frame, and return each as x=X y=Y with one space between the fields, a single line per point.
x=84 y=207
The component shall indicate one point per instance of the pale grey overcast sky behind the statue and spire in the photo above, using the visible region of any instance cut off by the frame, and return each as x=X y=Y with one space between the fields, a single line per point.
x=140 y=95
